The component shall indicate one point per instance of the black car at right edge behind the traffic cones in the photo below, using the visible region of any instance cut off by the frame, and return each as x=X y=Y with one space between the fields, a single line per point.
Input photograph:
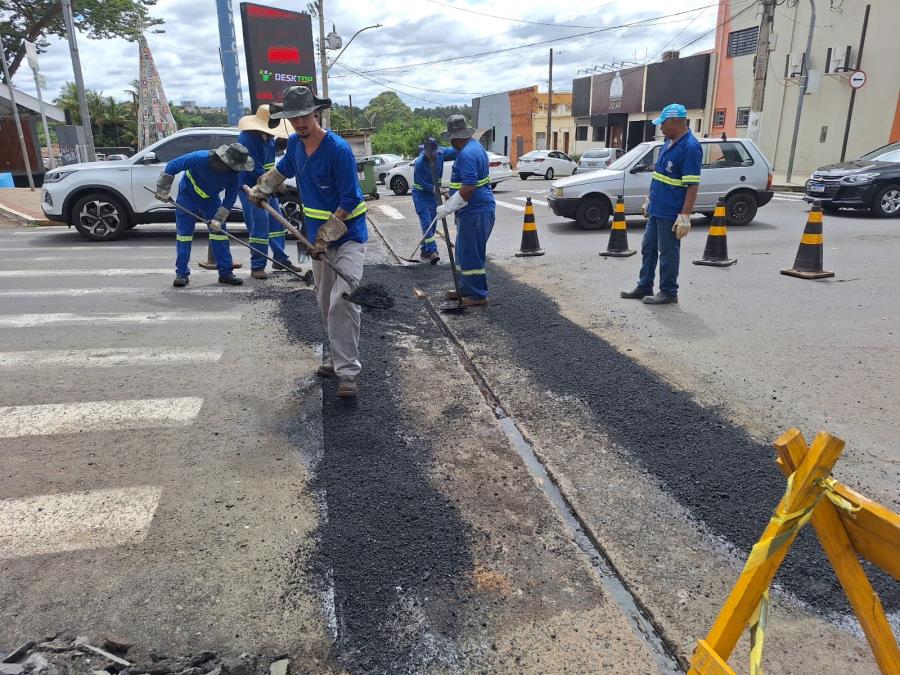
x=870 y=182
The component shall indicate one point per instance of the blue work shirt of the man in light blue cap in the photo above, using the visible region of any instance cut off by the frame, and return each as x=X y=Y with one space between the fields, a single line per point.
x=677 y=168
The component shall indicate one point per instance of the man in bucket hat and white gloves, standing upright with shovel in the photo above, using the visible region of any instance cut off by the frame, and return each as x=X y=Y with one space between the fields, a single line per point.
x=472 y=201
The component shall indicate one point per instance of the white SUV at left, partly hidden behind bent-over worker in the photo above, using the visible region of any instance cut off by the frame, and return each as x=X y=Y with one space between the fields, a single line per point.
x=103 y=200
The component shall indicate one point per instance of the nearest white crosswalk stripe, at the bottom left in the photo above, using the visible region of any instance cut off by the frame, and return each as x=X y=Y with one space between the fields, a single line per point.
x=76 y=521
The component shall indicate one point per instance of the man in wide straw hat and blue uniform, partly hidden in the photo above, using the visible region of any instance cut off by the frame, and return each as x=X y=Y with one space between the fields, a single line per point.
x=264 y=230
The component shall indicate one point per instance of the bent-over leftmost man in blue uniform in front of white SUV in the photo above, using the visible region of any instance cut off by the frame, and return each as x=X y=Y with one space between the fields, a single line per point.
x=206 y=174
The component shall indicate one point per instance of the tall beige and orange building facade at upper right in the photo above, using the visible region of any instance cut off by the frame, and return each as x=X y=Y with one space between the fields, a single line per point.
x=828 y=131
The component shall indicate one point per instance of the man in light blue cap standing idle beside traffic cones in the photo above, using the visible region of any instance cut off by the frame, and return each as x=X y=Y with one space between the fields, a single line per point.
x=673 y=190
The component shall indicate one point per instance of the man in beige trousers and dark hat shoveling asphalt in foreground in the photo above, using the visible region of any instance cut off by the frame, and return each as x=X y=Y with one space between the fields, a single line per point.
x=335 y=212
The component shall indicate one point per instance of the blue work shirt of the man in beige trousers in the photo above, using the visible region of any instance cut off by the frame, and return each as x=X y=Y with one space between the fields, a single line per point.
x=327 y=181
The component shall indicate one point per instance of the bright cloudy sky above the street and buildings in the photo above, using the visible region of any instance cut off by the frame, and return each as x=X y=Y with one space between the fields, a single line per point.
x=410 y=53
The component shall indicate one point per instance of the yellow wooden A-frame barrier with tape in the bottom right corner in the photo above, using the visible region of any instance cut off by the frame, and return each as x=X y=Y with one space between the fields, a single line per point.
x=848 y=525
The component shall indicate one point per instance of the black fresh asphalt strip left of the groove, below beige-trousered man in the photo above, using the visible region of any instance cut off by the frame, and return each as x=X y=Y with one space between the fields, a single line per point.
x=392 y=546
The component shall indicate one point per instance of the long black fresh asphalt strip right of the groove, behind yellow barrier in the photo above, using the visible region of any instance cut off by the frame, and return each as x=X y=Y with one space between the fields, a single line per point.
x=717 y=470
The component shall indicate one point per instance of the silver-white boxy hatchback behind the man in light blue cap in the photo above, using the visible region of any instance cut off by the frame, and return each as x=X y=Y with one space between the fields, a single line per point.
x=733 y=169
